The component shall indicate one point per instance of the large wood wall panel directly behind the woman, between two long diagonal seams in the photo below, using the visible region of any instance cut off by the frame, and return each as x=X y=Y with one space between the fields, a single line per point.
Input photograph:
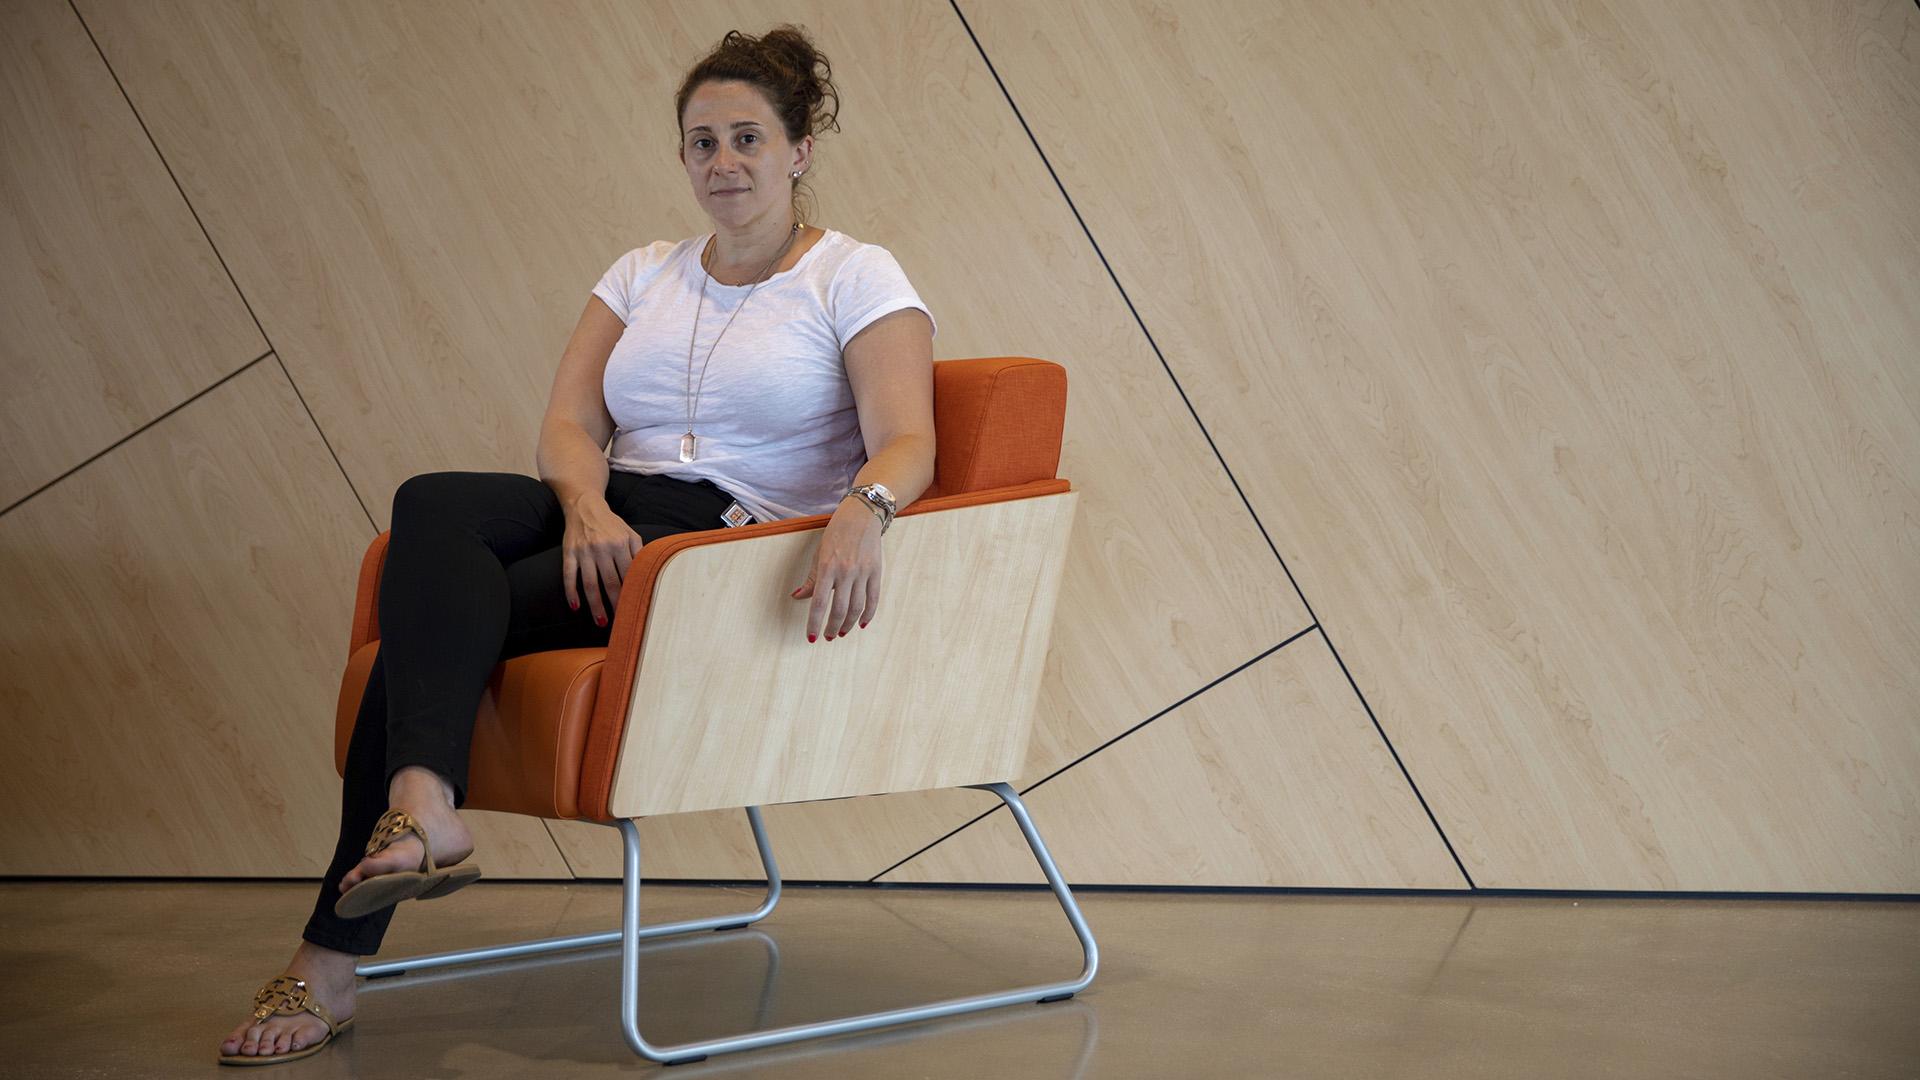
x=418 y=201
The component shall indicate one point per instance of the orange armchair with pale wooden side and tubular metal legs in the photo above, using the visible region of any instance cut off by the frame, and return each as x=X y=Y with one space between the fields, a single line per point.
x=708 y=697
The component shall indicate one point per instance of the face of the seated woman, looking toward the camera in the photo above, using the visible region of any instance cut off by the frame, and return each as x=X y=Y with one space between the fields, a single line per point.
x=738 y=157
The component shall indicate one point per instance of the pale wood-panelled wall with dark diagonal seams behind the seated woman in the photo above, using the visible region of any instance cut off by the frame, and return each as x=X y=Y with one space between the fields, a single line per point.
x=1497 y=428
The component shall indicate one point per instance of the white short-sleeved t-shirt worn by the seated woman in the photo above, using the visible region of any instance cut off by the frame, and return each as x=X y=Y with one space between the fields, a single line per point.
x=777 y=418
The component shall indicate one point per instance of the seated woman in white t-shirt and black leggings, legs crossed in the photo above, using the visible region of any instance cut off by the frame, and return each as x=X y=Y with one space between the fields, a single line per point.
x=769 y=370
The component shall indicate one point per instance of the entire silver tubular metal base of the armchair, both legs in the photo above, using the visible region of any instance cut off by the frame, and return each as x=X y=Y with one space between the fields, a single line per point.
x=633 y=933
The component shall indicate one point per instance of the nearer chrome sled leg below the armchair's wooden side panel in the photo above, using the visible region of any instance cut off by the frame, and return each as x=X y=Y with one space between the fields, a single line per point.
x=633 y=933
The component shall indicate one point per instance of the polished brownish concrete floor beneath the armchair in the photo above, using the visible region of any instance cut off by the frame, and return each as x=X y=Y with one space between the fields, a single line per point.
x=110 y=979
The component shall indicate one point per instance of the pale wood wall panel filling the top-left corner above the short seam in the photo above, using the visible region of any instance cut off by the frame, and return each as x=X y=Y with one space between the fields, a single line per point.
x=114 y=305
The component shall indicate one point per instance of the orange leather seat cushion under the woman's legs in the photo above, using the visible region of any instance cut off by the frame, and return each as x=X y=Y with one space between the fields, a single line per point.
x=529 y=737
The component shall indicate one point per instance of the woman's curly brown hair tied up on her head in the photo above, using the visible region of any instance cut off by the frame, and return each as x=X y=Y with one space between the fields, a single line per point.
x=786 y=68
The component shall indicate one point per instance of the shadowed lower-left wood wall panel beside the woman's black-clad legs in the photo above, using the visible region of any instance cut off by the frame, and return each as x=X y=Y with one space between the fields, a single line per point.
x=172 y=652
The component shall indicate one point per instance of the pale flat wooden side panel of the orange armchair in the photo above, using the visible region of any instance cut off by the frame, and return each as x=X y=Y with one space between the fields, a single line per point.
x=732 y=708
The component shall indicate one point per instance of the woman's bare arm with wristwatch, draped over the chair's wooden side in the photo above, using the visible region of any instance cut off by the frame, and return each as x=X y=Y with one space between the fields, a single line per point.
x=890 y=368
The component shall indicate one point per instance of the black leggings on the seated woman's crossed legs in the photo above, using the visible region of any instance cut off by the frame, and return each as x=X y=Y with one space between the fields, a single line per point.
x=473 y=577
